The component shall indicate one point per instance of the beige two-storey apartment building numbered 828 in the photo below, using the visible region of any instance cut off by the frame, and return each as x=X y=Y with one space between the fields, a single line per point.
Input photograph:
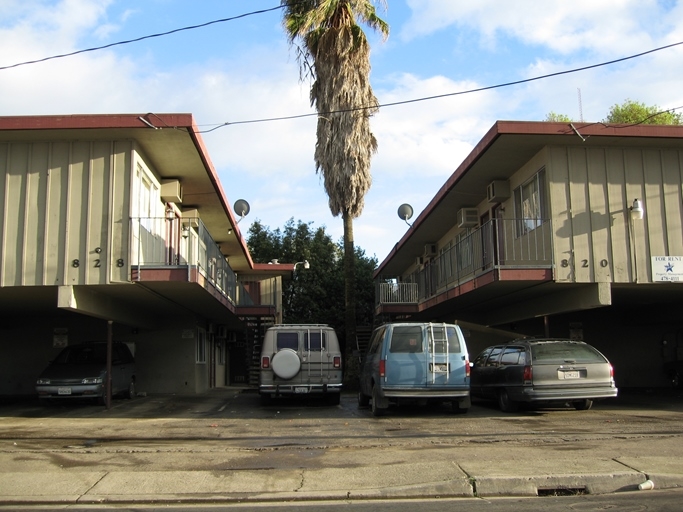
x=120 y=222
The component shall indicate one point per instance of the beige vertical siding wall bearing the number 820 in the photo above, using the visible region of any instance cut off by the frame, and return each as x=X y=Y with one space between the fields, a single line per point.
x=591 y=192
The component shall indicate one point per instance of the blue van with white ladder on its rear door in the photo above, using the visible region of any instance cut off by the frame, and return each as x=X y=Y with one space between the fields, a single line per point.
x=415 y=361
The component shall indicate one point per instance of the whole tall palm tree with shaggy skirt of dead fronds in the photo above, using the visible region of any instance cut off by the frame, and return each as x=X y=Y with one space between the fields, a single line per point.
x=334 y=51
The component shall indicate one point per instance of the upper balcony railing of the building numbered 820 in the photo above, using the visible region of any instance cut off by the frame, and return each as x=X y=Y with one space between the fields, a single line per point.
x=497 y=244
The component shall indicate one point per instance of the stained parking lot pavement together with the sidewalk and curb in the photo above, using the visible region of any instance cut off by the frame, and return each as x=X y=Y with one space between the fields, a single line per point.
x=224 y=445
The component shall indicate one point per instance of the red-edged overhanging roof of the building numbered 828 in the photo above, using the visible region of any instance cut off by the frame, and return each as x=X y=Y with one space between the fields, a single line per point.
x=174 y=146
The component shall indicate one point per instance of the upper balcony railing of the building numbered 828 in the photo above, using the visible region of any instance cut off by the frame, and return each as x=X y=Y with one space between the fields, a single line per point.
x=158 y=242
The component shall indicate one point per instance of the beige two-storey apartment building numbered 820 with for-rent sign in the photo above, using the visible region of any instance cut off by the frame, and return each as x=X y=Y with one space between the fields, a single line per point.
x=554 y=229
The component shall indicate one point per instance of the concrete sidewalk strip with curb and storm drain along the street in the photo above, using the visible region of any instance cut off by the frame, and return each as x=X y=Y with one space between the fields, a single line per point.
x=483 y=478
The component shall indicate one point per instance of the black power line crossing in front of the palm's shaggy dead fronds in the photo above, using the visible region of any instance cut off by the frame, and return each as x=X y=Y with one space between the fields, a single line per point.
x=438 y=96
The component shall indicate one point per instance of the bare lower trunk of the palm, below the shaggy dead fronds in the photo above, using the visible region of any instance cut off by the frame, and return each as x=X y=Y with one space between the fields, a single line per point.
x=351 y=368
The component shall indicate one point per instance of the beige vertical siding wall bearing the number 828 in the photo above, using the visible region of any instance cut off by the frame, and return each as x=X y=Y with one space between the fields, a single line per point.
x=65 y=212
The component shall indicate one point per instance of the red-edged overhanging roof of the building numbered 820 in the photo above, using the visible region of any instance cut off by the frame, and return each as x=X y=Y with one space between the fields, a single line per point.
x=503 y=150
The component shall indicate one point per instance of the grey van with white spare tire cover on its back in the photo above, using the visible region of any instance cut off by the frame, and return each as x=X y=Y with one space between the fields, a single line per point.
x=301 y=360
